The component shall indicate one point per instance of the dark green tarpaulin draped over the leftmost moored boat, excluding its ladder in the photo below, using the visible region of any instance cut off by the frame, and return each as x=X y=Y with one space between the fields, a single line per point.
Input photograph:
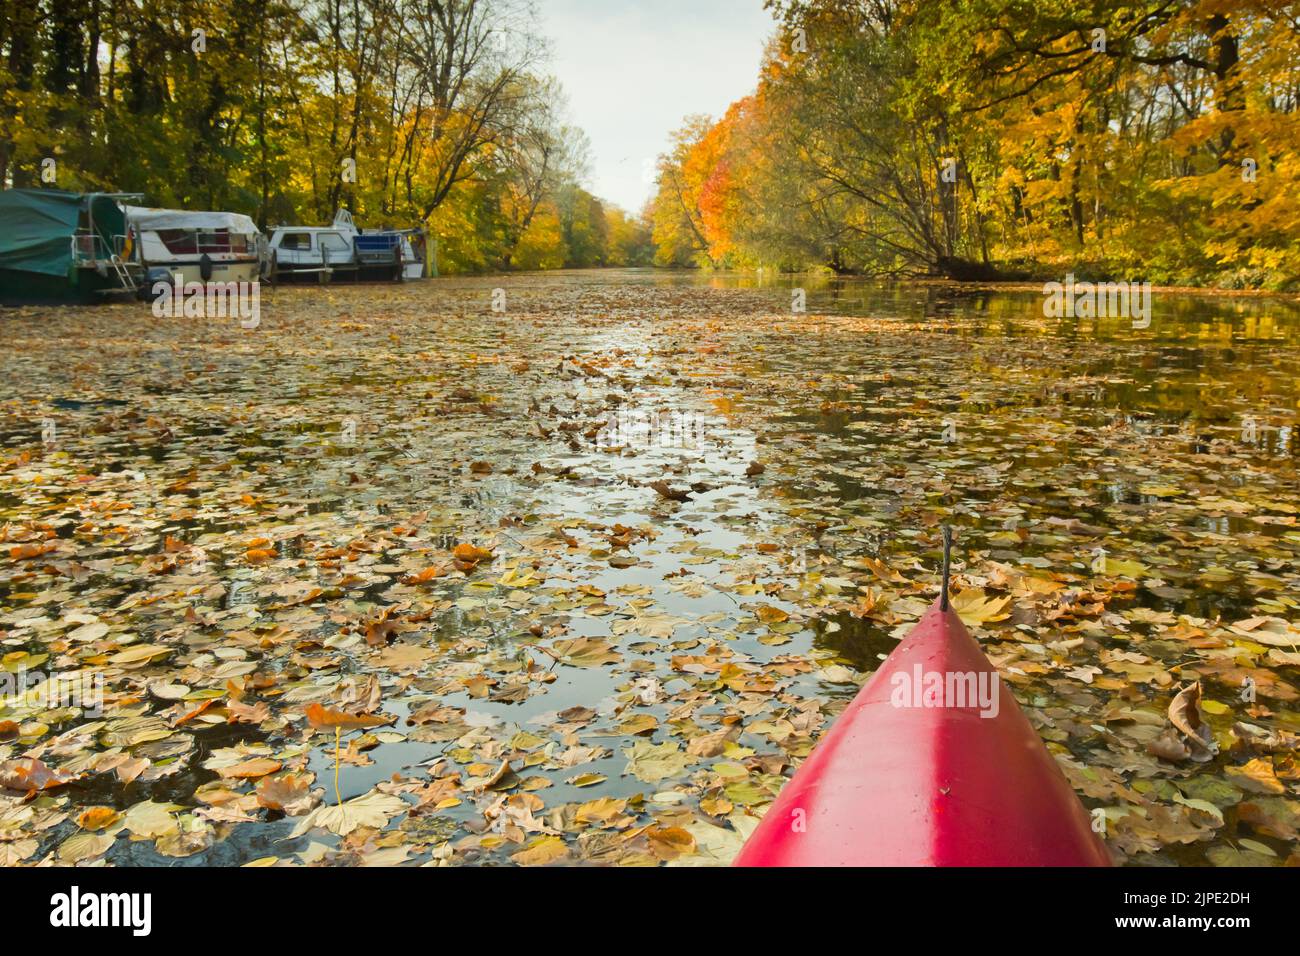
x=36 y=230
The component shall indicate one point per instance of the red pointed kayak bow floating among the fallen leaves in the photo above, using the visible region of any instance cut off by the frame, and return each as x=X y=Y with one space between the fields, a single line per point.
x=933 y=764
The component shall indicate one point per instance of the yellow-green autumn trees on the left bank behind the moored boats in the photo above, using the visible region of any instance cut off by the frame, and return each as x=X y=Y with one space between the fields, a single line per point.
x=409 y=113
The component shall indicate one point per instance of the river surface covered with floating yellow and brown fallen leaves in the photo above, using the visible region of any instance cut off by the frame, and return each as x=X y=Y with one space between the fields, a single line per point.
x=586 y=581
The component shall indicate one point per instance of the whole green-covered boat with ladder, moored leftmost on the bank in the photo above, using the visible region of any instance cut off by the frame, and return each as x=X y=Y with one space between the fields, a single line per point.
x=37 y=228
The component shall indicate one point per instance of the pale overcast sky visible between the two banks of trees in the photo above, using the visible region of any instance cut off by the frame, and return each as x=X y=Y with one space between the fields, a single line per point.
x=635 y=70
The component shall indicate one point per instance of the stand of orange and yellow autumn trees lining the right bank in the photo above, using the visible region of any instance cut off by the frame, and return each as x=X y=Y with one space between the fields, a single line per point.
x=985 y=139
